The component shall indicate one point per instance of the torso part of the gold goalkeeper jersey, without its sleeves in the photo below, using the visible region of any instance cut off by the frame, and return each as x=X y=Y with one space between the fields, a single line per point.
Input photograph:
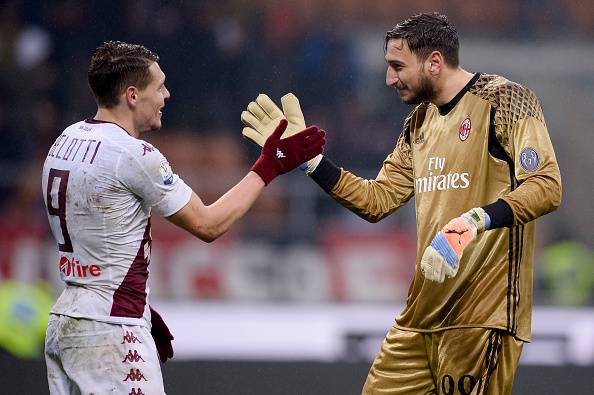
x=458 y=164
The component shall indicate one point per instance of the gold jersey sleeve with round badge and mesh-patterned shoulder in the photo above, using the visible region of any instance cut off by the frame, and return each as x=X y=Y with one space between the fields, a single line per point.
x=522 y=129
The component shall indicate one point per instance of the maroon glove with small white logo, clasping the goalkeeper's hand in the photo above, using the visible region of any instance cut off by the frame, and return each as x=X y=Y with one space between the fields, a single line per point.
x=280 y=156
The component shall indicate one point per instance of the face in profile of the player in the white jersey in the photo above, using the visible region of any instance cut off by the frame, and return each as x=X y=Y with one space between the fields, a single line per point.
x=151 y=101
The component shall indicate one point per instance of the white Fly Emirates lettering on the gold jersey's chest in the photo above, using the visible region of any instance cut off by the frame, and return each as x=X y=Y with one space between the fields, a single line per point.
x=437 y=181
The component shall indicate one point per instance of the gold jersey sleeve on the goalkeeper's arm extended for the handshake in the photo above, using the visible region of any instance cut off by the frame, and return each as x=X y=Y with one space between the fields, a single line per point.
x=375 y=199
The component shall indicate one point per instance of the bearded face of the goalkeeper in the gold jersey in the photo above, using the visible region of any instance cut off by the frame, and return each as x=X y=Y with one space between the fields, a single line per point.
x=406 y=73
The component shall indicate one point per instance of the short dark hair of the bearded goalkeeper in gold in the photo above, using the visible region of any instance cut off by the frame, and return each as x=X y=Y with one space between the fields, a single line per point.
x=428 y=32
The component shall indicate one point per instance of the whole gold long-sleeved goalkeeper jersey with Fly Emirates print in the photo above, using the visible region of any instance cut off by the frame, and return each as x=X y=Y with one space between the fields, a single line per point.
x=490 y=142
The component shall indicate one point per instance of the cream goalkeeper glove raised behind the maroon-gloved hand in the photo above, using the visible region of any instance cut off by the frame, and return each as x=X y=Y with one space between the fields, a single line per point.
x=263 y=116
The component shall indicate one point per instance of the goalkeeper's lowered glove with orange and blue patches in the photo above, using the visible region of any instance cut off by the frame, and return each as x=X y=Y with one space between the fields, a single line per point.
x=442 y=257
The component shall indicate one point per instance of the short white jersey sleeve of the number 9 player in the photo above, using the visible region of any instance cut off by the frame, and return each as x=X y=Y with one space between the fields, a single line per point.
x=149 y=176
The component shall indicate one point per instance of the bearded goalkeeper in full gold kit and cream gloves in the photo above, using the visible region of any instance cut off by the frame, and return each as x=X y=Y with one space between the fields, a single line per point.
x=476 y=155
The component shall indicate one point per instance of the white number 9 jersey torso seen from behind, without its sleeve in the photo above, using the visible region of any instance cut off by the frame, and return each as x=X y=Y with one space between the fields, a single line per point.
x=99 y=224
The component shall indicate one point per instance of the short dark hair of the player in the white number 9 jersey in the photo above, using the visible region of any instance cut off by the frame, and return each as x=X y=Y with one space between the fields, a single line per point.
x=115 y=65
